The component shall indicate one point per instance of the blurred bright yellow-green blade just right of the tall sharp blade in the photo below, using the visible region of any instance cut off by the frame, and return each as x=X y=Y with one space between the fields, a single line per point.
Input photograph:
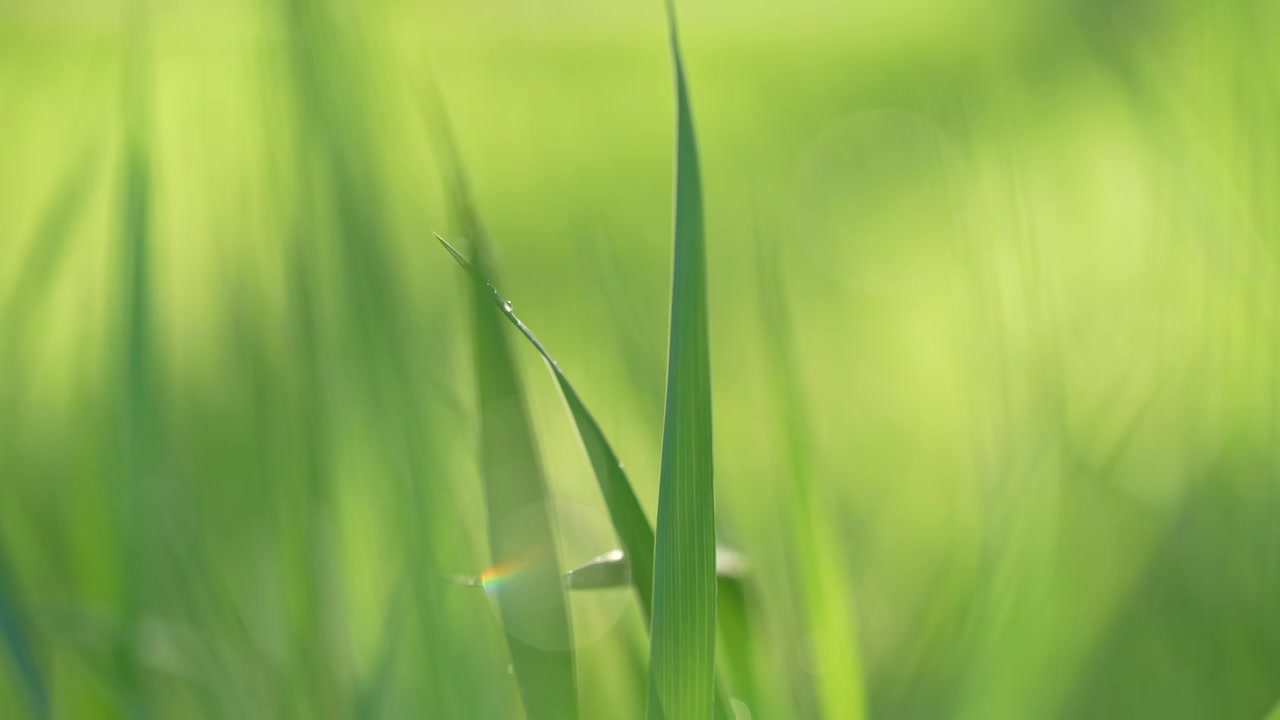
x=822 y=582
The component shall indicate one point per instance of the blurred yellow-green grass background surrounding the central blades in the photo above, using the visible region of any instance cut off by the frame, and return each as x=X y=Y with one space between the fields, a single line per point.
x=1022 y=259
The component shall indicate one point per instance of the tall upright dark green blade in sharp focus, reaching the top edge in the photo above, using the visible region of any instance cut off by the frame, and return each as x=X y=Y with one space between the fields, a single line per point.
x=683 y=641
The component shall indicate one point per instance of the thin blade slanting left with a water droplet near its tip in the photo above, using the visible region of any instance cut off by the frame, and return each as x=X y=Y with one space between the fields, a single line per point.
x=629 y=520
